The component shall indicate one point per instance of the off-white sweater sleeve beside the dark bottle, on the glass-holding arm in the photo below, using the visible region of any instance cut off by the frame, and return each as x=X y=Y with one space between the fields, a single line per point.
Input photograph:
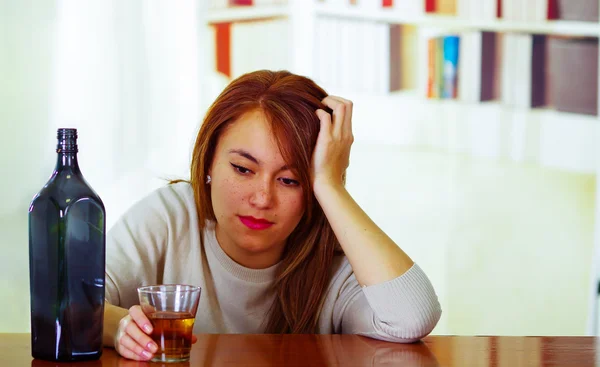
x=134 y=250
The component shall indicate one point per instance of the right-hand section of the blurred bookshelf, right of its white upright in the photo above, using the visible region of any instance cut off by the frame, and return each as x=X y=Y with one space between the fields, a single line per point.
x=527 y=75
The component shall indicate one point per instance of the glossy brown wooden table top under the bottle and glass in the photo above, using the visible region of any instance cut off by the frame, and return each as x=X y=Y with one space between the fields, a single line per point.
x=345 y=350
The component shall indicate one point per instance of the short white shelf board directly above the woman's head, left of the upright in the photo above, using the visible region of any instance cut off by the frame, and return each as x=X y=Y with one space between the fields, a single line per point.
x=246 y=13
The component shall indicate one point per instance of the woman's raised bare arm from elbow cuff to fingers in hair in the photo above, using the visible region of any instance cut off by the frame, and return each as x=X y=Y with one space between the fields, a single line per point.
x=375 y=257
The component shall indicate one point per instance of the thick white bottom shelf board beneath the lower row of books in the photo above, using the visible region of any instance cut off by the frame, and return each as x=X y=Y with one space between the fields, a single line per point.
x=490 y=130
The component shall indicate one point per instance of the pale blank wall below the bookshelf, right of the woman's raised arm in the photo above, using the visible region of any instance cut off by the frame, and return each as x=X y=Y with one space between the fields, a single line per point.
x=506 y=245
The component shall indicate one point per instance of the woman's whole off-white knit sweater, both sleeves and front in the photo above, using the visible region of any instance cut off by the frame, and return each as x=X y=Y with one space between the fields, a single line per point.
x=157 y=241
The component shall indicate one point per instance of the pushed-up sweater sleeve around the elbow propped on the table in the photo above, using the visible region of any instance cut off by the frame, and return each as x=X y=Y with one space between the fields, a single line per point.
x=403 y=310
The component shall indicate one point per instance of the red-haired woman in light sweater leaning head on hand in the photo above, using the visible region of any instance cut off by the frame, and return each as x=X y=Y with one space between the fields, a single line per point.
x=266 y=227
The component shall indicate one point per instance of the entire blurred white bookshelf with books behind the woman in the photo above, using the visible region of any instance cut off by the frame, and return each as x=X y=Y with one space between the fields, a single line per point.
x=503 y=79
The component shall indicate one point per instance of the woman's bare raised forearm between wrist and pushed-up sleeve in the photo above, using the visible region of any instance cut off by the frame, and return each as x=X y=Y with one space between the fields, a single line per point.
x=374 y=257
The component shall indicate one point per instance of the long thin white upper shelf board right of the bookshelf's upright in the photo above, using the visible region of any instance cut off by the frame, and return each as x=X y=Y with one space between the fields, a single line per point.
x=557 y=27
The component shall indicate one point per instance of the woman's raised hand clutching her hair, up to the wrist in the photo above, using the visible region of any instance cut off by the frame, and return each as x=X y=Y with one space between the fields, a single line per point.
x=332 y=151
